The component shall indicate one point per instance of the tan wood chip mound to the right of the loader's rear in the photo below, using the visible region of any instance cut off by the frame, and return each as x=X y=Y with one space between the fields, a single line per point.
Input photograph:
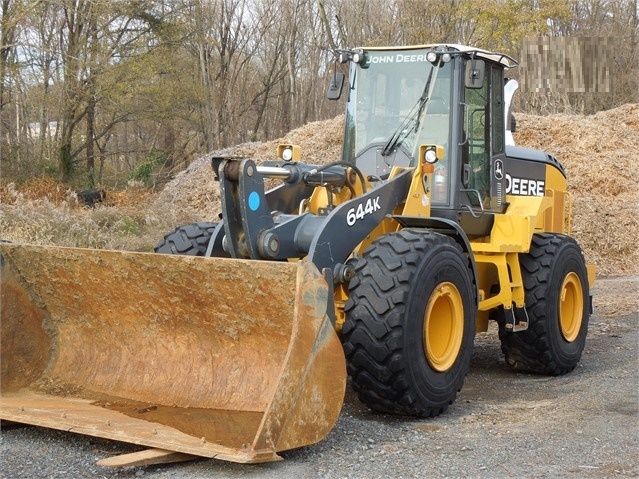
x=601 y=155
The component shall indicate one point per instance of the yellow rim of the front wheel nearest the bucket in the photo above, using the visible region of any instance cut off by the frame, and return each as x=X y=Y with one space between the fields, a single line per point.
x=443 y=326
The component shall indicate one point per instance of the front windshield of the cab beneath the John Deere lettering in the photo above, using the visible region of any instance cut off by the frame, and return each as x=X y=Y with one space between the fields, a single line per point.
x=388 y=97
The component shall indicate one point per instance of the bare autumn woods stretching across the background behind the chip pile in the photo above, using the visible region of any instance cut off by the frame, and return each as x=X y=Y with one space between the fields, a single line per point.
x=152 y=83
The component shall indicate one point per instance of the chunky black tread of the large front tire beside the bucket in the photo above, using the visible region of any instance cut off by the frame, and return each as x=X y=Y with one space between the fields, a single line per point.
x=373 y=332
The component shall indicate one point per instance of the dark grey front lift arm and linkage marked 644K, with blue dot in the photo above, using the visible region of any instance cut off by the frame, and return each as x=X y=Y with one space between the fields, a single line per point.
x=261 y=225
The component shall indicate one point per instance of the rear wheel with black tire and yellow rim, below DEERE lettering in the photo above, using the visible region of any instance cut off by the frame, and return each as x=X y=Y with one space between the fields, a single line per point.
x=557 y=299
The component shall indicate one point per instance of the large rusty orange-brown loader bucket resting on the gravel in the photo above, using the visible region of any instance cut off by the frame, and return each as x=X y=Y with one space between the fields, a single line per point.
x=216 y=357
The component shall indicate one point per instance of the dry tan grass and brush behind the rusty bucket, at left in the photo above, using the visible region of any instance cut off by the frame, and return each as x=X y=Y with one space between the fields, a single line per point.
x=48 y=213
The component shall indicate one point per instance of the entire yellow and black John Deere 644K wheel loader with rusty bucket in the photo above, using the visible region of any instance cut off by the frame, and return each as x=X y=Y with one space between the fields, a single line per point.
x=235 y=338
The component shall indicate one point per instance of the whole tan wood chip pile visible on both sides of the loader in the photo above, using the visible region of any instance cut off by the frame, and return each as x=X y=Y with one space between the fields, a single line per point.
x=599 y=152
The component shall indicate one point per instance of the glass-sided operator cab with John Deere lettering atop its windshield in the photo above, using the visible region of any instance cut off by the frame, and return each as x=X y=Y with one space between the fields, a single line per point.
x=448 y=95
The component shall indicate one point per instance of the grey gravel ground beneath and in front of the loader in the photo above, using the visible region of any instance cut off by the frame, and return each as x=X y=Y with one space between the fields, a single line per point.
x=503 y=424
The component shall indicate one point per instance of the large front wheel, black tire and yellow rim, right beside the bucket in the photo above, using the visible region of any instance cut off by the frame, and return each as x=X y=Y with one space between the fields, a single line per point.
x=410 y=323
